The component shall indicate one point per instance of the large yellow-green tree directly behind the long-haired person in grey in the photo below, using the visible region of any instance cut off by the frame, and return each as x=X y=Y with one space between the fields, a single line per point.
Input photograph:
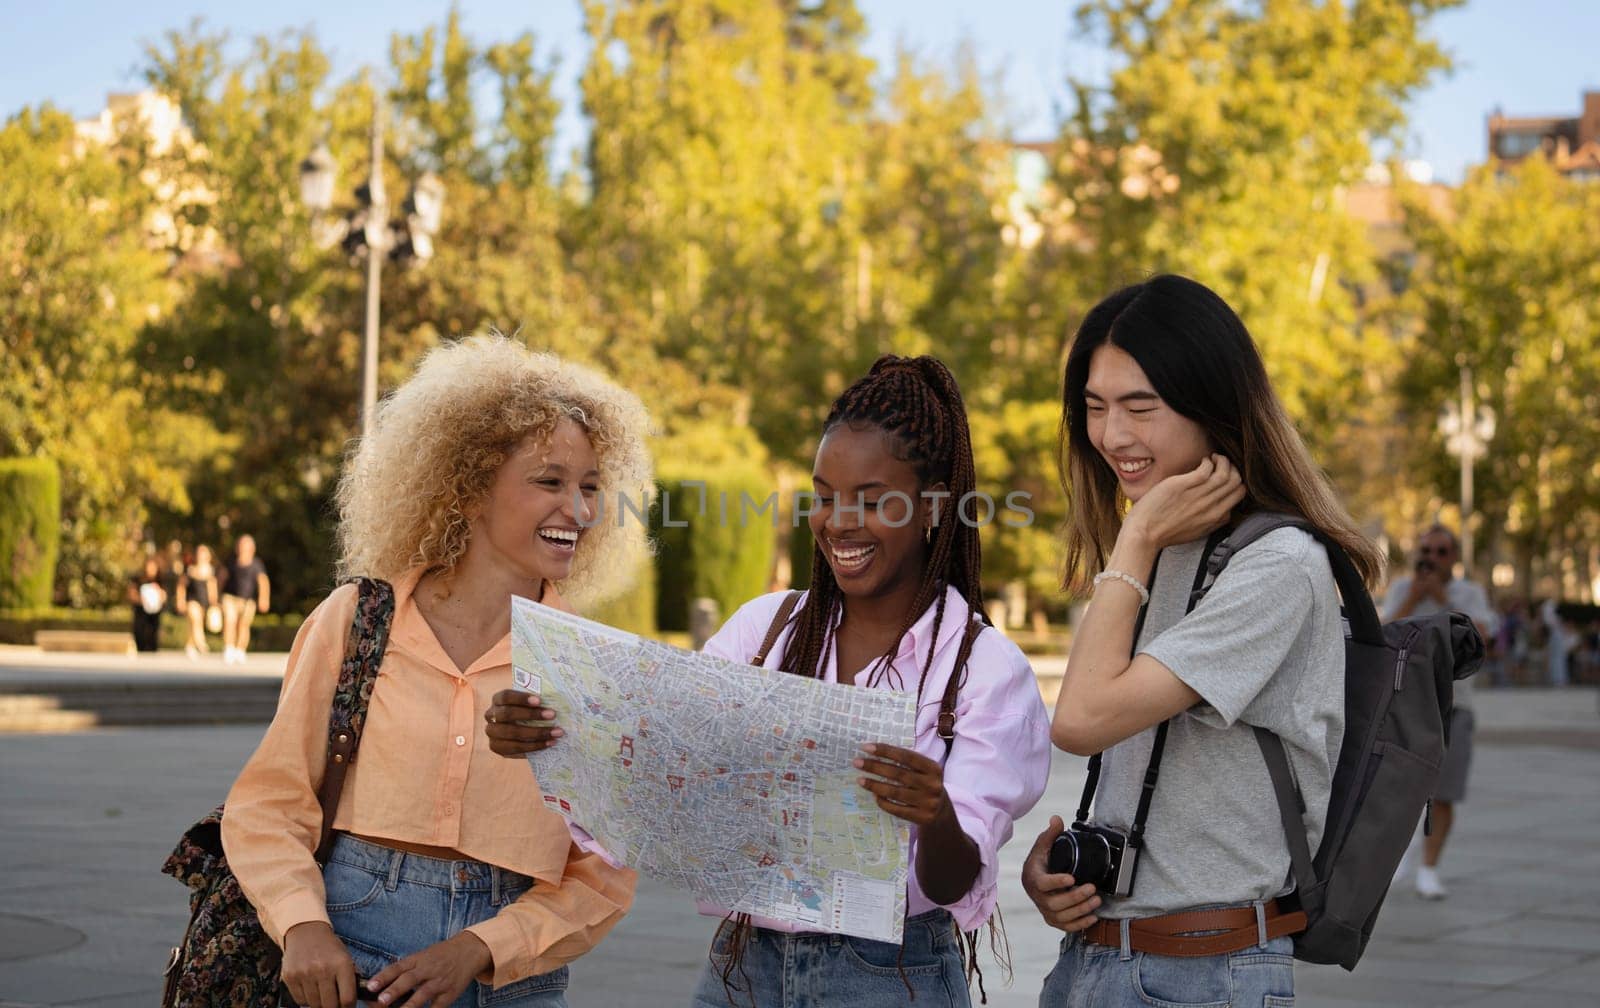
x=1220 y=148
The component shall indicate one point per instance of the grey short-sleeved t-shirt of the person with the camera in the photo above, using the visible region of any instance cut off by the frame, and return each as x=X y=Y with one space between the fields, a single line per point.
x=1265 y=647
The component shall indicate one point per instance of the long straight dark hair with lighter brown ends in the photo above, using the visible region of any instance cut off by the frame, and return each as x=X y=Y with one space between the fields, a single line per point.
x=1204 y=364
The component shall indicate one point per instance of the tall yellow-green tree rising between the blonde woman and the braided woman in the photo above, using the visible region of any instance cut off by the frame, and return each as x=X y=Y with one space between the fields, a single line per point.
x=714 y=223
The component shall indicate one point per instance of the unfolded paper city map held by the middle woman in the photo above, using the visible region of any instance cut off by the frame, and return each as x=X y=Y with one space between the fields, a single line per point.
x=724 y=780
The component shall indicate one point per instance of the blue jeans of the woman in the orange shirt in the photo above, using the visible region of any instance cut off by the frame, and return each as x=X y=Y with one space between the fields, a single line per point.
x=386 y=905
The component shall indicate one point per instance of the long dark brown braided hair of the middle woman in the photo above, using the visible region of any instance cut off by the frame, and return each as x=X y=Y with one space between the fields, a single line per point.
x=919 y=406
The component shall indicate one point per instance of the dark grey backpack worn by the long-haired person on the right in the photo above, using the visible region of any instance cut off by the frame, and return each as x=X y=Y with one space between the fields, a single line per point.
x=1398 y=698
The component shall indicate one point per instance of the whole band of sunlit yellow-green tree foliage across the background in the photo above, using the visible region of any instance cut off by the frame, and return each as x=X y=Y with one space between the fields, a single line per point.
x=761 y=210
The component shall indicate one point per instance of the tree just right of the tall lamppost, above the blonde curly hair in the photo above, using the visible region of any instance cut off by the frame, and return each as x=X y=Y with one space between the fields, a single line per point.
x=498 y=260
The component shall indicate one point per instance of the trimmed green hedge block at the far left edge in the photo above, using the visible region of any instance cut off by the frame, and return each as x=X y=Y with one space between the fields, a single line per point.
x=30 y=530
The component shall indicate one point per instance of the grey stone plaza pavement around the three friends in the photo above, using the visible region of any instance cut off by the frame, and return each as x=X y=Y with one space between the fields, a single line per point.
x=87 y=918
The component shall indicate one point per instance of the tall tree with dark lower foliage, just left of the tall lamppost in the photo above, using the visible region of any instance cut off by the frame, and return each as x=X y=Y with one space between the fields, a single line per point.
x=268 y=332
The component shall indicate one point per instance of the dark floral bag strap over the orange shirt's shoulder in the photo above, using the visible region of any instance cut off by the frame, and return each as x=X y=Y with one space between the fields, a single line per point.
x=364 y=654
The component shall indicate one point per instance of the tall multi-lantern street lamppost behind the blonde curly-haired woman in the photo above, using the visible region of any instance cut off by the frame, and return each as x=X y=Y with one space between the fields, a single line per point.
x=369 y=231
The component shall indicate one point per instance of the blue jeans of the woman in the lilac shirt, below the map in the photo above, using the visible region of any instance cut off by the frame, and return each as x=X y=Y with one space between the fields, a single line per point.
x=815 y=970
